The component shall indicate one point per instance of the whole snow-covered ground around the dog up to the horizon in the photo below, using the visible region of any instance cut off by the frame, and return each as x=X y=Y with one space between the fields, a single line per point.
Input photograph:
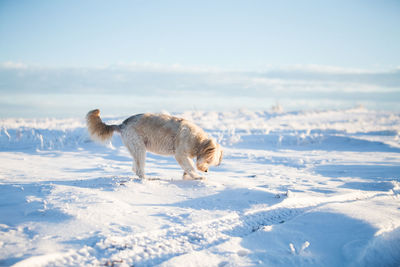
x=317 y=188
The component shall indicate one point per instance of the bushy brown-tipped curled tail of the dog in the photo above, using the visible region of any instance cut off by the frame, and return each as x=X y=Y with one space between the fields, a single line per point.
x=98 y=130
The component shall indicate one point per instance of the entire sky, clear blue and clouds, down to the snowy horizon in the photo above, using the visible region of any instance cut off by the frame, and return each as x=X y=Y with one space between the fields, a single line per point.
x=94 y=46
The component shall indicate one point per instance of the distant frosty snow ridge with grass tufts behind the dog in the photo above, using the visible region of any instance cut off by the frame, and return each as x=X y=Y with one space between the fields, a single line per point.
x=266 y=129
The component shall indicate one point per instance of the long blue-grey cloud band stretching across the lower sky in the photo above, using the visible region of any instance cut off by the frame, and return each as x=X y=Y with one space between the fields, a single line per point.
x=155 y=78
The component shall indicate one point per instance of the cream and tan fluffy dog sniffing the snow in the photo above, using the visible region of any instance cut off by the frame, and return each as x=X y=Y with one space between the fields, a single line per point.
x=160 y=134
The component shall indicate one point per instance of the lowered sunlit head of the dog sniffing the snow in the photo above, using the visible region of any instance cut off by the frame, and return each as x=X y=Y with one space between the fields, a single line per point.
x=210 y=154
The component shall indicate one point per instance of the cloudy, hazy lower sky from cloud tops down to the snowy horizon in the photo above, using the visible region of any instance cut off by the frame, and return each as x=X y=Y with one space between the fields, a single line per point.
x=127 y=88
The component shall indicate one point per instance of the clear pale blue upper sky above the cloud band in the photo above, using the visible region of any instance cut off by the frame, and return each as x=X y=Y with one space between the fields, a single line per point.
x=229 y=34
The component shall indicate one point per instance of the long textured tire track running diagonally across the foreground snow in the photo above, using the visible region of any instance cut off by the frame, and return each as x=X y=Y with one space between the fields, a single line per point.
x=154 y=247
